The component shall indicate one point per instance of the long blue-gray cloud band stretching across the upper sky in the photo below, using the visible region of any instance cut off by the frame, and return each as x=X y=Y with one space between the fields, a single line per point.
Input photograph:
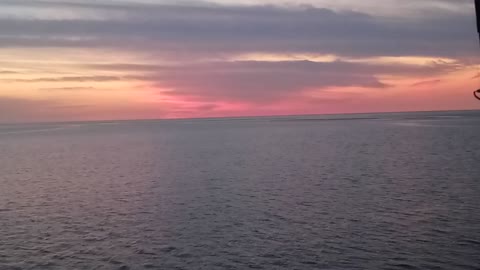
x=214 y=29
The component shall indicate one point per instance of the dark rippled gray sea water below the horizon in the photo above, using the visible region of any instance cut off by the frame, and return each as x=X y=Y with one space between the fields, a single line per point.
x=392 y=191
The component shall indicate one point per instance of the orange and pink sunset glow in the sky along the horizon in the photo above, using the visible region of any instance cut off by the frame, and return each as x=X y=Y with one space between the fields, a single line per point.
x=123 y=94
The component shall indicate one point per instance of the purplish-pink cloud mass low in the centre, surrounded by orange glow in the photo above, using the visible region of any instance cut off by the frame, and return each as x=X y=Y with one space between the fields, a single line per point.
x=258 y=81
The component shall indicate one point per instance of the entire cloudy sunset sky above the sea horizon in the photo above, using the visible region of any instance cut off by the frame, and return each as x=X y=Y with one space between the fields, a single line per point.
x=66 y=60
